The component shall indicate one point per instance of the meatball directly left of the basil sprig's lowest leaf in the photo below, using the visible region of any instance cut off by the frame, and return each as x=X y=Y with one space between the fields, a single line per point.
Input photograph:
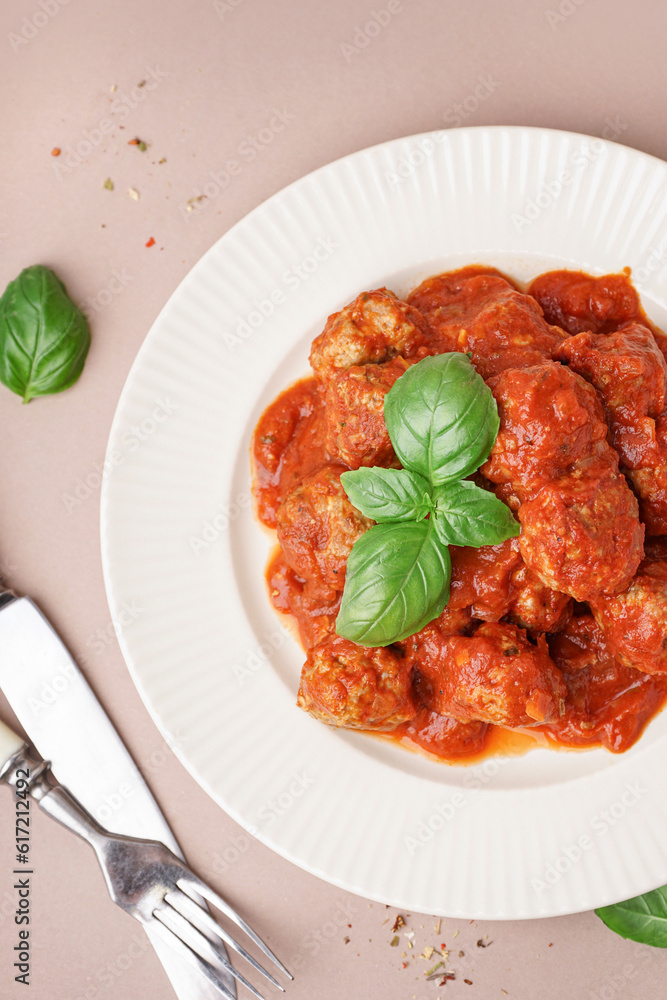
x=317 y=527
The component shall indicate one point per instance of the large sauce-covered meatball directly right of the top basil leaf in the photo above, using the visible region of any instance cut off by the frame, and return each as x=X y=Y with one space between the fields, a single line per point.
x=549 y=419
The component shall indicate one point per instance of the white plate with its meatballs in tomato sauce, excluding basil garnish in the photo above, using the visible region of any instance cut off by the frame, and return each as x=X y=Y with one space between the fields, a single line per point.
x=506 y=759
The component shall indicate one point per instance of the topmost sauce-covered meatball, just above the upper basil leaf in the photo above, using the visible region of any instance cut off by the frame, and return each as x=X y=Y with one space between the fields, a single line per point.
x=486 y=315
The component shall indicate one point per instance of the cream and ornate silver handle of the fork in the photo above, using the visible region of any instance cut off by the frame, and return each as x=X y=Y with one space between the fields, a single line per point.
x=23 y=769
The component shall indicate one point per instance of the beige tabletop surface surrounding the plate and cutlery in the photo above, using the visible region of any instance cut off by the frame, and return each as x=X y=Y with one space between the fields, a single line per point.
x=216 y=74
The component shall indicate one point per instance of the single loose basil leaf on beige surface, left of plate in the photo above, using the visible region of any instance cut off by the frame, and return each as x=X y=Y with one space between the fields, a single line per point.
x=44 y=337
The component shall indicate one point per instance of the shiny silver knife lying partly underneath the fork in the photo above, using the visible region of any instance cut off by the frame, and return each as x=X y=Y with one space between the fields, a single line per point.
x=68 y=726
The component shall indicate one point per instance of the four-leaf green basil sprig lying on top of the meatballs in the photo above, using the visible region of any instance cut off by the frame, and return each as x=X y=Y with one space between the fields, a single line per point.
x=442 y=420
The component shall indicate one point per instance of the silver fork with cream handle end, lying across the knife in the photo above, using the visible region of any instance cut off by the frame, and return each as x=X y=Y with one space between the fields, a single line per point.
x=143 y=876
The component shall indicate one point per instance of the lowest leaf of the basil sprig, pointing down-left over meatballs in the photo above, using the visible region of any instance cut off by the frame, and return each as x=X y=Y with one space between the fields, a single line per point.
x=397 y=581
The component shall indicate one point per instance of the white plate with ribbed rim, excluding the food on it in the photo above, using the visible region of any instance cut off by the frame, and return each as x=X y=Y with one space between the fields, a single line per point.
x=544 y=834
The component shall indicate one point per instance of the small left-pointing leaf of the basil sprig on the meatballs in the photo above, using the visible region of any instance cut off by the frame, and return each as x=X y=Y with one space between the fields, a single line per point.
x=388 y=494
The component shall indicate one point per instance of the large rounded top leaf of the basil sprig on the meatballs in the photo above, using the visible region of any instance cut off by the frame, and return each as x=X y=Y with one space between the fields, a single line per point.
x=442 y=418
